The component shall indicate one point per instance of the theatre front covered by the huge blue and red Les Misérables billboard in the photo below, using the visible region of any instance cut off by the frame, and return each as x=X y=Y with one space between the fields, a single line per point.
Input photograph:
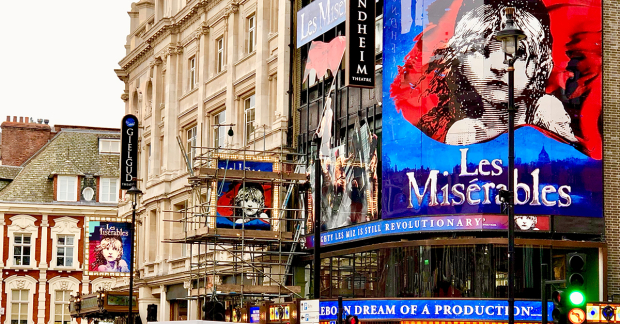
x=412 y=224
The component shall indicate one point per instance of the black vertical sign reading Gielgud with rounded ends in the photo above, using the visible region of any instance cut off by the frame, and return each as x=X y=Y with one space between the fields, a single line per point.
x=129 y=151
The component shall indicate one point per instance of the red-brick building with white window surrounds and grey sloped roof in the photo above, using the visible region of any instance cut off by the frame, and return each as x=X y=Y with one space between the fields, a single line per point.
x=67 y=179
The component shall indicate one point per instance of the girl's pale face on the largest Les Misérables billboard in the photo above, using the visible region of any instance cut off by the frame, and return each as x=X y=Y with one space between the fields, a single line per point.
x=488 y=74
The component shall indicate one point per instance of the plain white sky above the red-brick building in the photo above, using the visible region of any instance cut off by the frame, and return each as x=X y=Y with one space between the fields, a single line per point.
x=59 y=59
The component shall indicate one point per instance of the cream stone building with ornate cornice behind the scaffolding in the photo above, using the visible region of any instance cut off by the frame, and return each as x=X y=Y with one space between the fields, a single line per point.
x=198 y=75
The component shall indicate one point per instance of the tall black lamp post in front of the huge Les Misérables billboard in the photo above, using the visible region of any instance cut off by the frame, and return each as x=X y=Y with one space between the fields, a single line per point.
x=510 y=37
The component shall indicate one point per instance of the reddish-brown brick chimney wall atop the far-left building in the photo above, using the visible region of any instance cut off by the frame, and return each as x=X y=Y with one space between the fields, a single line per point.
x=21 y=139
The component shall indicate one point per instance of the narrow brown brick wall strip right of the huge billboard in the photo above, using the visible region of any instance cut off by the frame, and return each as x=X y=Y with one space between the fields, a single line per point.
x=611 y=140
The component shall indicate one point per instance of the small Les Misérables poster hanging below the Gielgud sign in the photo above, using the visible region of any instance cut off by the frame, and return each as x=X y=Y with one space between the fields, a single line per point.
x=108 y=246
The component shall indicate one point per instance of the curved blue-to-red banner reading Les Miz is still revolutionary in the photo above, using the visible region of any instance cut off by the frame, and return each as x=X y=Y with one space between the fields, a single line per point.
x=429 y=224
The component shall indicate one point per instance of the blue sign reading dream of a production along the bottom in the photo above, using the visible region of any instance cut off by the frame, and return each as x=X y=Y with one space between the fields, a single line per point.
x=435 y=309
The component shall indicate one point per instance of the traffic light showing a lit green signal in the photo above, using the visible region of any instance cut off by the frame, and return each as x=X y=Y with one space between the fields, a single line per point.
x=575 y=279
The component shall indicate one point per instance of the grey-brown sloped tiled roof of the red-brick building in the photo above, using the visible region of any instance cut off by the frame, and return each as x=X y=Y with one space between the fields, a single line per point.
x=70 y=152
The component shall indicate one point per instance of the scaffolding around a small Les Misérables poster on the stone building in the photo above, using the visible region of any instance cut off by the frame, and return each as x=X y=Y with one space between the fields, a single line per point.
x=242 y=253
